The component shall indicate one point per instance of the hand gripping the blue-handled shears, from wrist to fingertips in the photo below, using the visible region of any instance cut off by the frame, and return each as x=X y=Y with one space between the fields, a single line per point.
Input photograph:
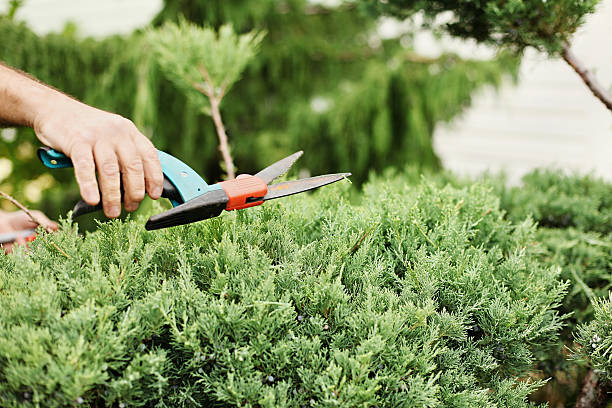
x=96 y=139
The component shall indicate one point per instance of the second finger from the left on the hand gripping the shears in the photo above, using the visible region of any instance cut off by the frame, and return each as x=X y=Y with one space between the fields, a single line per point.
x=108 y=178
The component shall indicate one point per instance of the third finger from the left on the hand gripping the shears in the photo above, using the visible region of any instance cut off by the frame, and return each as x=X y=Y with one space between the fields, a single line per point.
x=133 y=176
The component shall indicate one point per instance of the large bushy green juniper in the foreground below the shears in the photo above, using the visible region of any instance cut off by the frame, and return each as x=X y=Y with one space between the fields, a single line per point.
x=417 y=296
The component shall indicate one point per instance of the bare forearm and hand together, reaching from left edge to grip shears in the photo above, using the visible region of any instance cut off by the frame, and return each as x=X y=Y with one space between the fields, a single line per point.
x=92 y=138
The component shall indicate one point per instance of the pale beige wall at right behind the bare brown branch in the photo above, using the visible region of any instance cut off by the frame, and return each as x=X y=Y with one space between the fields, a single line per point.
x=550 y=119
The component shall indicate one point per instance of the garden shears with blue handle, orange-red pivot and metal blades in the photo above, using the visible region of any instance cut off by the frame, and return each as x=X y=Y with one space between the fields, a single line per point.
x=194 y=200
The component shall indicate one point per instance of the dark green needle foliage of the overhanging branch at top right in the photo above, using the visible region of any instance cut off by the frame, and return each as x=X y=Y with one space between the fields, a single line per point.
x=545 y=25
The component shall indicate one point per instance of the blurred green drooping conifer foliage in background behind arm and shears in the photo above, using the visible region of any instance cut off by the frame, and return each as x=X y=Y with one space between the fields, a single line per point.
x=322 y=81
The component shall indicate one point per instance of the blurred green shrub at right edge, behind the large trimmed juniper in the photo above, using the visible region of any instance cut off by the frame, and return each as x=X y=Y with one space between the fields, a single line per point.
x=574 y=216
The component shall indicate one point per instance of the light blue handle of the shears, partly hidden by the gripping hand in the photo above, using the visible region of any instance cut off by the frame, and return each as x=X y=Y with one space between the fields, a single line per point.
x=188 y=183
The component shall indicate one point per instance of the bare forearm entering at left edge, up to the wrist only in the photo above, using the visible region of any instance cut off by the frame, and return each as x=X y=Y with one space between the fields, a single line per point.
x=22 y=98
